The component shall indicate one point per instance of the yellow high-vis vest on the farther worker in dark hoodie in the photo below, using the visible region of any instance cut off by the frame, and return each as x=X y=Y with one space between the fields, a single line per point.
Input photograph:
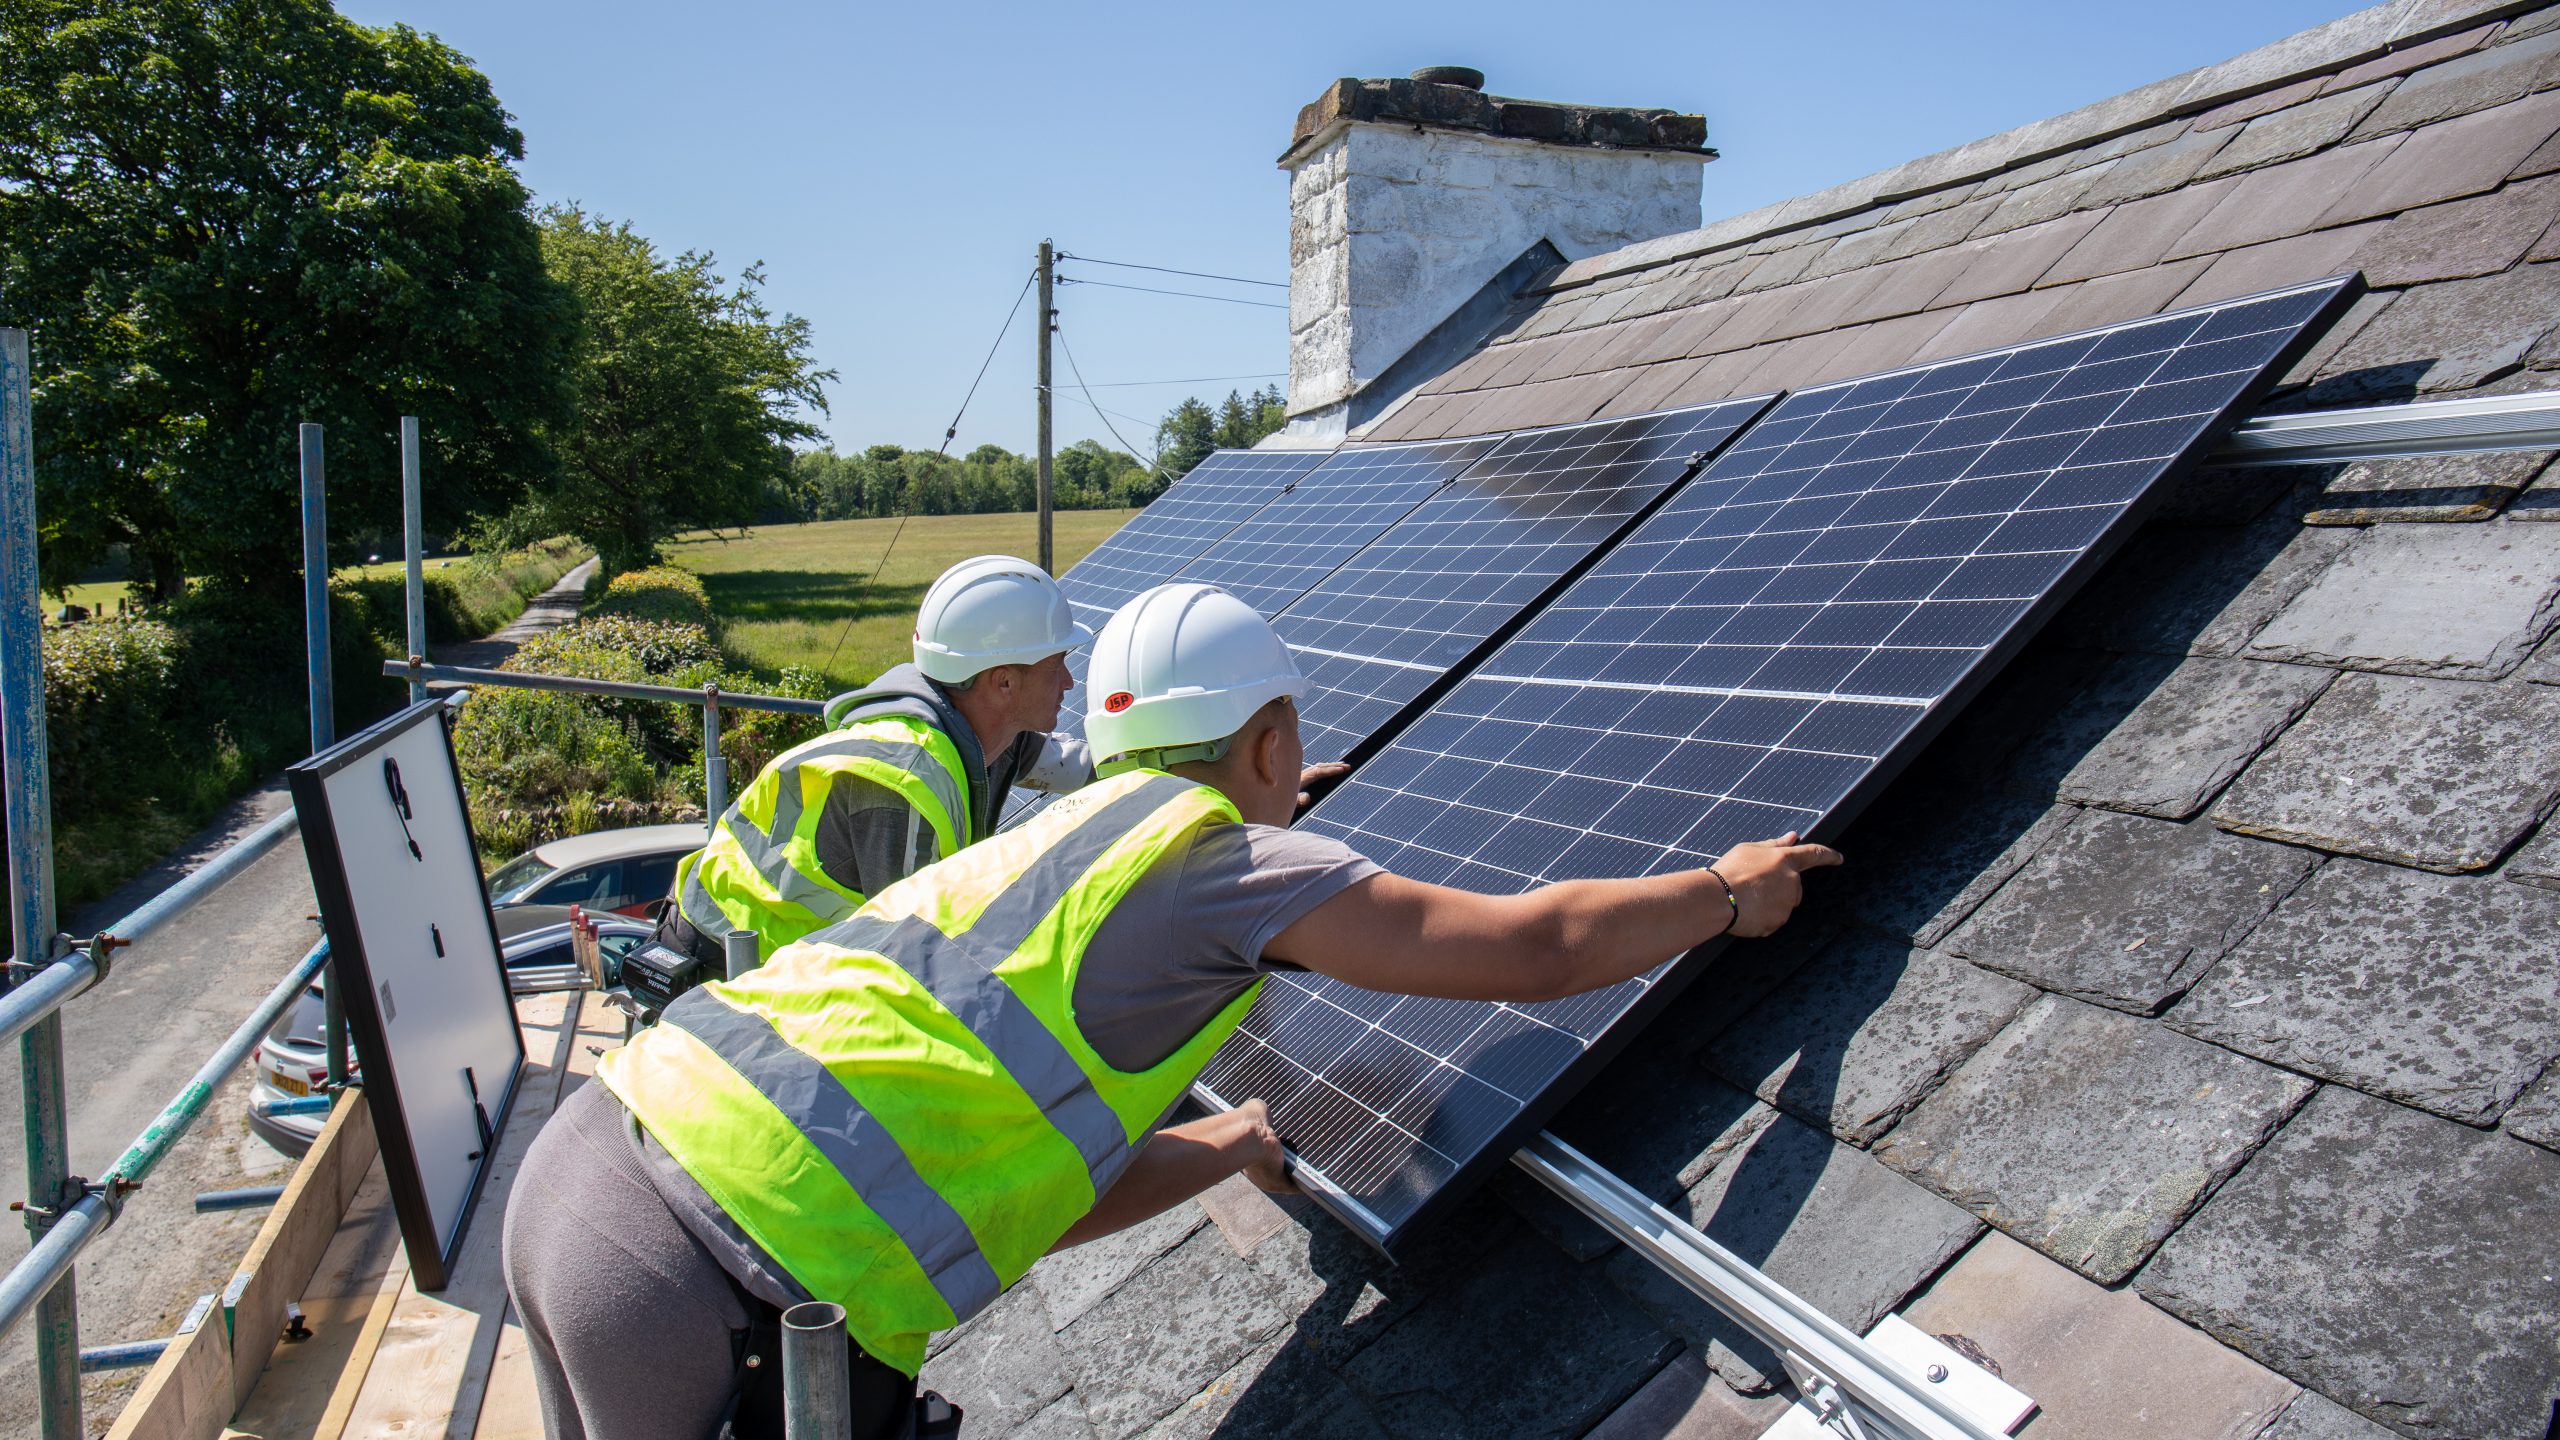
x=762 y=867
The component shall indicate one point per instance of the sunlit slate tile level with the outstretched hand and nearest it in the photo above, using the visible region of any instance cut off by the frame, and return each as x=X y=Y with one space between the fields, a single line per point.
x=2124 y=911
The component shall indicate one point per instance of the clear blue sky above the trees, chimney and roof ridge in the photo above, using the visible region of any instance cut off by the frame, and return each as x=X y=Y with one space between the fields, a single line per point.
x=897 y=165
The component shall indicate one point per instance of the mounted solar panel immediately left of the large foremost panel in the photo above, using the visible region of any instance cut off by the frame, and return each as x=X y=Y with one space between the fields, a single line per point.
x=1412 y=606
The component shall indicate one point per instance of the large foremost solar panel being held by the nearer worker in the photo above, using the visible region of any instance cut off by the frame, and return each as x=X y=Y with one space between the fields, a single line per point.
x=1757 y=657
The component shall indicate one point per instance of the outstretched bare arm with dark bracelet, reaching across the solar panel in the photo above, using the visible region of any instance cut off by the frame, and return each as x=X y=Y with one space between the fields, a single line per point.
x=1407 y=937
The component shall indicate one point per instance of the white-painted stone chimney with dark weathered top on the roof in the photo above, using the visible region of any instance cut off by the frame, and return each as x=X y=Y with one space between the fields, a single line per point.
x=1412 y=196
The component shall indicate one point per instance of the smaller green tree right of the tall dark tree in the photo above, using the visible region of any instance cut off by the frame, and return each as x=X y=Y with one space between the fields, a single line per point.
x=685 y=393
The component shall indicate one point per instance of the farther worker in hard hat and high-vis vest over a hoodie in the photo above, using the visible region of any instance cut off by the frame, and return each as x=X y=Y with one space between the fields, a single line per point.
x=913 y=767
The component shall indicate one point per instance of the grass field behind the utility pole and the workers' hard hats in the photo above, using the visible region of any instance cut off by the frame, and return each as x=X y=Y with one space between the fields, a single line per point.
x=785 y=593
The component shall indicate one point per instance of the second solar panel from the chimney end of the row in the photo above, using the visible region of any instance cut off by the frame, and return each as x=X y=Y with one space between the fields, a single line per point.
x=1322 y=521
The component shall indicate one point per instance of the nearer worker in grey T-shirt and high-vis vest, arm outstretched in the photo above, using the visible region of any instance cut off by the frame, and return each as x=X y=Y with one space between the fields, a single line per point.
x=910 y=1108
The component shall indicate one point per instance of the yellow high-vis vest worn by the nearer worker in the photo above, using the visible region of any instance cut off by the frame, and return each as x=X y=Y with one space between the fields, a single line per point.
x=902 y=1108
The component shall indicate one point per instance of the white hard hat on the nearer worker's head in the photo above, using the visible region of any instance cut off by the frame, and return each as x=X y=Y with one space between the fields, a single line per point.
x=1181 y=670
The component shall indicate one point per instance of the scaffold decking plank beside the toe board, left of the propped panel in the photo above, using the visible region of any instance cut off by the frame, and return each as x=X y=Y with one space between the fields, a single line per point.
x=303 y=1377
